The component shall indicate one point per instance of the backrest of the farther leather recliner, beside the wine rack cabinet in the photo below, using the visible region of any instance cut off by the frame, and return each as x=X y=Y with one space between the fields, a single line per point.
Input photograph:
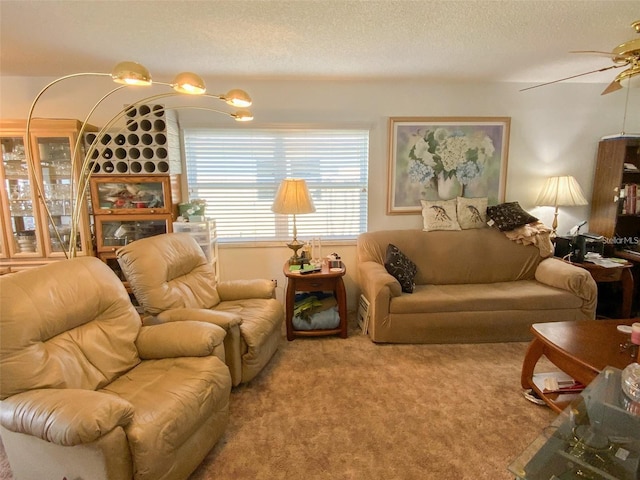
x=169 y=271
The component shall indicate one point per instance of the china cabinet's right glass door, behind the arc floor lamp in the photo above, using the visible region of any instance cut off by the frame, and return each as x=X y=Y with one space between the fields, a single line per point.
x=56 y=174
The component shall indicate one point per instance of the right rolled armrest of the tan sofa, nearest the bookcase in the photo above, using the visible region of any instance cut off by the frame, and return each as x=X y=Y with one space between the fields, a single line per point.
x=560 y=274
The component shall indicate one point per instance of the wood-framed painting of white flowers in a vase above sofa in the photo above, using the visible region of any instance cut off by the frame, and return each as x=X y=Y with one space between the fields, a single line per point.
x=445 y=158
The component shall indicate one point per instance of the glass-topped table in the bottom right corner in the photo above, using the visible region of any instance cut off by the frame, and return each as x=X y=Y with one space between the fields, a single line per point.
x=597 y=437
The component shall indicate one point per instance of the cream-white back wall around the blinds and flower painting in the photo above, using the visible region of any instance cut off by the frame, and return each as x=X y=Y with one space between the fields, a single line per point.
x=554 y=130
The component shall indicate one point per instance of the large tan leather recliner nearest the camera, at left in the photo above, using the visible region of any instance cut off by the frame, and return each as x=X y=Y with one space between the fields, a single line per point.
x=88 y=392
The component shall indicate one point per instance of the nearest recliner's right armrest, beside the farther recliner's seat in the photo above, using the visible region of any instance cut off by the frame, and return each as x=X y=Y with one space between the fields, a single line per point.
x=179 y=339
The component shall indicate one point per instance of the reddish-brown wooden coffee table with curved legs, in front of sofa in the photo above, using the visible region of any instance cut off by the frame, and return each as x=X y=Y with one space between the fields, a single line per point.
x=581 y=349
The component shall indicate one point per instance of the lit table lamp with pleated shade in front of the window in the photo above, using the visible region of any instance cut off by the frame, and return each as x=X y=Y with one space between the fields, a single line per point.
x=293 y=198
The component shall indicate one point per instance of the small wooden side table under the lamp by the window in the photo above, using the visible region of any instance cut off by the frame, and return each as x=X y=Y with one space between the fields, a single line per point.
x=325 y=280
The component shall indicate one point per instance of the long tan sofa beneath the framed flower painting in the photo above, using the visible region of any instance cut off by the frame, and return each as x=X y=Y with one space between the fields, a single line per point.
x=471 y=286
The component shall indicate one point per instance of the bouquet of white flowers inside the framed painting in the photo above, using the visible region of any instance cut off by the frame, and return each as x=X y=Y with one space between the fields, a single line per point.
x=449 y=152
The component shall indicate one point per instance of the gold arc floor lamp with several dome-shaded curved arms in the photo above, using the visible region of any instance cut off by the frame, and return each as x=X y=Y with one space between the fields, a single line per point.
x=125 y=74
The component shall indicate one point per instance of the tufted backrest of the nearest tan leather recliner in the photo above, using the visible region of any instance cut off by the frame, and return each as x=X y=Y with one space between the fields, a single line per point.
x=69 y=324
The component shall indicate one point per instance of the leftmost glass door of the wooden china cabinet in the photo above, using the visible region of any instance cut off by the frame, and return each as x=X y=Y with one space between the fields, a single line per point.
x=21 y=224
